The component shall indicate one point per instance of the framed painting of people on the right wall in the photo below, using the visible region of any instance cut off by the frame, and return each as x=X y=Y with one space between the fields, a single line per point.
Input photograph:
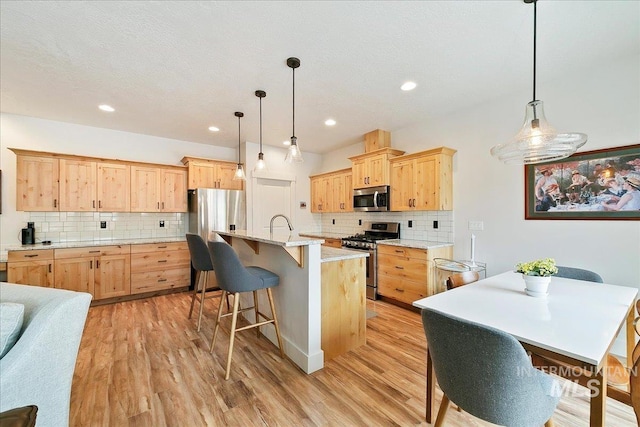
x=585 y=186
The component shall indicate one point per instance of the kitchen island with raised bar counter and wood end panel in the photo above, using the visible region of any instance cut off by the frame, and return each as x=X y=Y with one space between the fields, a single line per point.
x=320 y=301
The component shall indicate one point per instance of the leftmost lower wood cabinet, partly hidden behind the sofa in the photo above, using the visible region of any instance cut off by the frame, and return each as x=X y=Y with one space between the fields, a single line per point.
x=31 y=267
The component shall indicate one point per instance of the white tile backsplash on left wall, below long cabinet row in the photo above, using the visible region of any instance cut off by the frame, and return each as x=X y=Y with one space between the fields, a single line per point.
x=85 y=226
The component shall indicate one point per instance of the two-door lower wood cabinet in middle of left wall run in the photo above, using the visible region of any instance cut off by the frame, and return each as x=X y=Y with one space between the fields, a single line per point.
x=102 y=271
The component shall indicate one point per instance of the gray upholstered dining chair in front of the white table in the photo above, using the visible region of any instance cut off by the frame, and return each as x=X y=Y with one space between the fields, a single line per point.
x=487 y=373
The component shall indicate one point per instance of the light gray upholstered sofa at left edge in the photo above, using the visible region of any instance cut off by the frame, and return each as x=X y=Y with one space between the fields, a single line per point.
x=38 y=368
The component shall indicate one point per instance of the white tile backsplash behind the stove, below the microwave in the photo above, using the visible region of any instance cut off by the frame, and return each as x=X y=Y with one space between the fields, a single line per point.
x=422 y=224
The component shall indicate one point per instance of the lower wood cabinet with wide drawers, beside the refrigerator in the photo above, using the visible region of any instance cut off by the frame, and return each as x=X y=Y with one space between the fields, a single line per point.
x=159 y=266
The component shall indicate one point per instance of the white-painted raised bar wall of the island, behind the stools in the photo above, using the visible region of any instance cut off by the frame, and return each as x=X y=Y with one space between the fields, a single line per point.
x=297 y=301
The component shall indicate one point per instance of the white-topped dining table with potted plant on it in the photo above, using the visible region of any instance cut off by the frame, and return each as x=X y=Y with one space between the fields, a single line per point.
x=577 y=323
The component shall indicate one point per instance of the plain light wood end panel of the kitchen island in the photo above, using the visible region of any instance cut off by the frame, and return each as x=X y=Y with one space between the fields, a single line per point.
x=344 y=307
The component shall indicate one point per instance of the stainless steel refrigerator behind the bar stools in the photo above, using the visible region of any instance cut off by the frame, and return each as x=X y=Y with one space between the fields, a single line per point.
x=211 y=209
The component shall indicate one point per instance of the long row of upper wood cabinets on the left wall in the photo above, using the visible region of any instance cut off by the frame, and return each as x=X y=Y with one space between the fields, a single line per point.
x=69 y=183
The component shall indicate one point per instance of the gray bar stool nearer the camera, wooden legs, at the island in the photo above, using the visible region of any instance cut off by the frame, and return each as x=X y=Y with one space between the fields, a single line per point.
x=234 y=278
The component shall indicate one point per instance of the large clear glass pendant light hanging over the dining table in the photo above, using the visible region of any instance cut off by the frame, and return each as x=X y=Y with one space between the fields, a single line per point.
x=537 y=141
